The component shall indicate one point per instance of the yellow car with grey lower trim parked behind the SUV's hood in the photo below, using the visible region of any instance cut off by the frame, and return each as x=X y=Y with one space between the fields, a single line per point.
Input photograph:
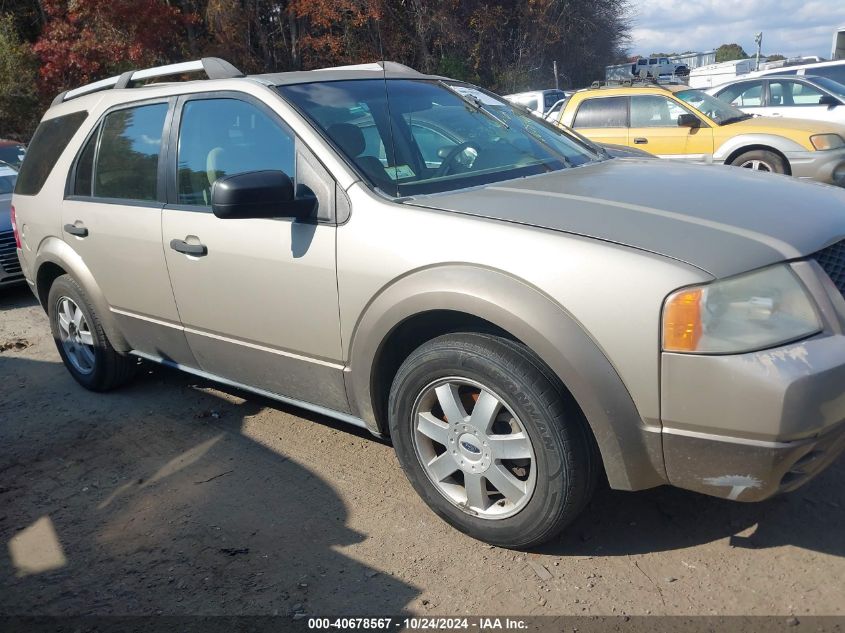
x=675 y=121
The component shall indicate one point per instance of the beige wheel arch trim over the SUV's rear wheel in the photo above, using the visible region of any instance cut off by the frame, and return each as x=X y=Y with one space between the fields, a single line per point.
x=56 y=258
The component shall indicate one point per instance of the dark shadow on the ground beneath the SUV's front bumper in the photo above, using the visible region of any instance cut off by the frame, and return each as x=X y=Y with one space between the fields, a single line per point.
x=618 y=523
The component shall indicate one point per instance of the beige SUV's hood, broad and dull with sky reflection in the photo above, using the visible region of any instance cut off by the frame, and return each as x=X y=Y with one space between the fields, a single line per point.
x=723 y=220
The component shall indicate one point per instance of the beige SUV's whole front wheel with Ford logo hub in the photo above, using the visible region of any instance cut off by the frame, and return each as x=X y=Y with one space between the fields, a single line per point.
x=488 y=439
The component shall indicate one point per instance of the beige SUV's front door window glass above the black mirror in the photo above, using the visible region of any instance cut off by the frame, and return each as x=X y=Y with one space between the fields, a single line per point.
x=222 y=137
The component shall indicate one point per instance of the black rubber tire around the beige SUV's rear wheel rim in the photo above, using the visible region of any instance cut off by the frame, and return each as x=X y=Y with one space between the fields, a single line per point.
x=110 y=369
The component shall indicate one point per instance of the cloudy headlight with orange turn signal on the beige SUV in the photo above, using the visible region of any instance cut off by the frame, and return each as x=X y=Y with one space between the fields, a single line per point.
x=746 y=313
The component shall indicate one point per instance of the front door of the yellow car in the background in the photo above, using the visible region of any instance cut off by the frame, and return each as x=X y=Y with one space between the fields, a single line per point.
x=655 y=129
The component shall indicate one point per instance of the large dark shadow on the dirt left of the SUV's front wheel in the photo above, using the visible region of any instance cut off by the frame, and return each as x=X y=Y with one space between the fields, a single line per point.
x=152 y=499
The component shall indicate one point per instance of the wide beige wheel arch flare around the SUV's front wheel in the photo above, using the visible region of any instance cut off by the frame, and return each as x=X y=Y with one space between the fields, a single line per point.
x=541 y=324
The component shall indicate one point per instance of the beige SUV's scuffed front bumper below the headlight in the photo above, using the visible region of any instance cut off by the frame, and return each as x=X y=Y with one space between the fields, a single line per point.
x=748 y=426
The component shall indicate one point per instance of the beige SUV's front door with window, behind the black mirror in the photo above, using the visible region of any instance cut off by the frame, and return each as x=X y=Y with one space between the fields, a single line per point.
x=259 y=302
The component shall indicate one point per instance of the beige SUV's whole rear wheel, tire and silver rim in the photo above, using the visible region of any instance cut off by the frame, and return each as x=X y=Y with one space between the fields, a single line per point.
x=81 y=341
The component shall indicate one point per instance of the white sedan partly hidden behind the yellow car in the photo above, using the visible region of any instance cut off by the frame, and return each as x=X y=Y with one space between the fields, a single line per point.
x=807 y=97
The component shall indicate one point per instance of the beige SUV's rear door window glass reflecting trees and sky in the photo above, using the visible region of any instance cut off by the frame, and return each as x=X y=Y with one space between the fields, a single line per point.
x=126 y=166
